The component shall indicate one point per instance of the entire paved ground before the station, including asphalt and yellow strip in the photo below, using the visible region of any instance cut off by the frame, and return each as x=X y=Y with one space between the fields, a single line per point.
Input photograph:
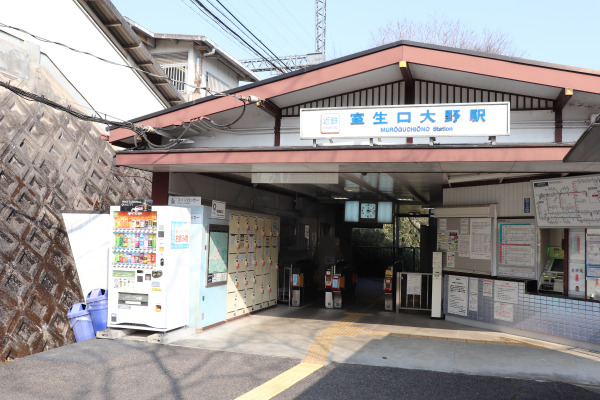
x=312 y=353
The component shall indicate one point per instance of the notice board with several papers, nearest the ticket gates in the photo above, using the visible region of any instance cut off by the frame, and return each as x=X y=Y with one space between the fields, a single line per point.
x=467 y=243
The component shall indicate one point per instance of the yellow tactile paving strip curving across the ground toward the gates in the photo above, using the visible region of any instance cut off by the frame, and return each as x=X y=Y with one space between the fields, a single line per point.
x=315 y=359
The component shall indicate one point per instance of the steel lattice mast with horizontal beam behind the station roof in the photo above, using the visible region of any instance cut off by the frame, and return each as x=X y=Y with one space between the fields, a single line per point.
x=298 y=61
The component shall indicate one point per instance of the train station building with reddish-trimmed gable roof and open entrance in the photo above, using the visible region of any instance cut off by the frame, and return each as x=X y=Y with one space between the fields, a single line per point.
x=498 y=152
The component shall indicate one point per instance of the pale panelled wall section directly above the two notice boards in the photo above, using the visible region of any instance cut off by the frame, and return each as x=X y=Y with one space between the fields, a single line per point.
x=510 y=198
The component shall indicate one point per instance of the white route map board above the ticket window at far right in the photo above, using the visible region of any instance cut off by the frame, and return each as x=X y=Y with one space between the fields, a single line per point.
x=567 y=202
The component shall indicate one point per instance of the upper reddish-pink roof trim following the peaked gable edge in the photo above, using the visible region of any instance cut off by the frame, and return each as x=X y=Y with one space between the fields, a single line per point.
x=518 y=71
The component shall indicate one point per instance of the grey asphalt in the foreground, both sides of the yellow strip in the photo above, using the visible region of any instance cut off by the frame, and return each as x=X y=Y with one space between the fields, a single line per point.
x=116 y=369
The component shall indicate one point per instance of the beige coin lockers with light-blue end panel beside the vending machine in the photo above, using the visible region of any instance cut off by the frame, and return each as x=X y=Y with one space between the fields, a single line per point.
x=233 y=262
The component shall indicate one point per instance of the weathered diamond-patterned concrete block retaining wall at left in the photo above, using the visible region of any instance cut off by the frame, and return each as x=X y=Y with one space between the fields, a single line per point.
x=49 y=162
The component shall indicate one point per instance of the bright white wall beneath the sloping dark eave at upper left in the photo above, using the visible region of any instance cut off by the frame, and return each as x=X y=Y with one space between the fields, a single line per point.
x=113 y=90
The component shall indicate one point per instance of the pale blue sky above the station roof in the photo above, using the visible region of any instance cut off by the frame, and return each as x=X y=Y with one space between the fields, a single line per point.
x=550 y=31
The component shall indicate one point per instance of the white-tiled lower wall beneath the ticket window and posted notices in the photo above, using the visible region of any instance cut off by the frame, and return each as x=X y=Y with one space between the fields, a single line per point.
x=569 y=318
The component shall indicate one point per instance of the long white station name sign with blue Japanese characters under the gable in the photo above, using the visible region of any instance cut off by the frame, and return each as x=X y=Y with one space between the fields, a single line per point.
x=423 y=120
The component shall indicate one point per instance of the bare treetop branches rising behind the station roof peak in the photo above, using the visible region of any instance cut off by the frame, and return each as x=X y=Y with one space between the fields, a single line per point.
x=445 y=32
